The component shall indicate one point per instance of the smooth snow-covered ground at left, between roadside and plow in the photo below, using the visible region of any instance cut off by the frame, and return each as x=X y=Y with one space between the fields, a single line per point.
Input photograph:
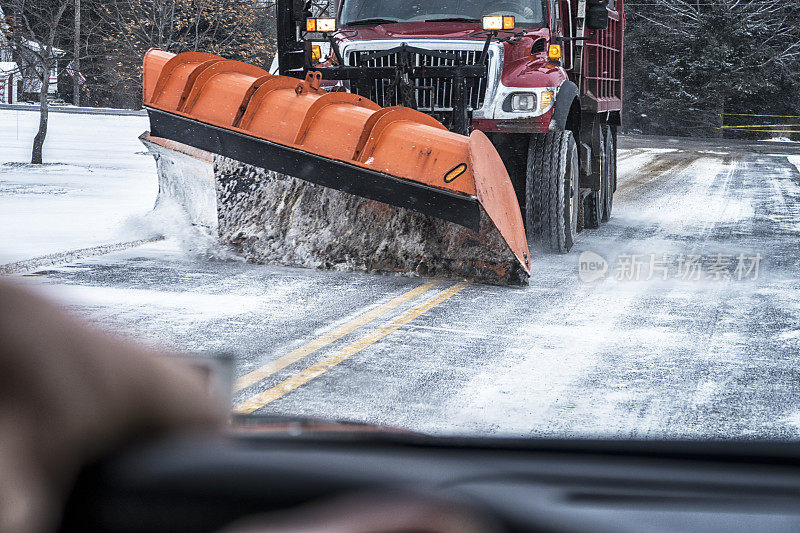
x=97 y=183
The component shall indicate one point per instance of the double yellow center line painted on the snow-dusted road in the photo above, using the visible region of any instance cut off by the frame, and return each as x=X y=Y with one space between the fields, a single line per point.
x=260 y=400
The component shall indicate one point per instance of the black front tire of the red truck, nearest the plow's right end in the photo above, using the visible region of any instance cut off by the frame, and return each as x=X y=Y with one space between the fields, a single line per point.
x=552 y=190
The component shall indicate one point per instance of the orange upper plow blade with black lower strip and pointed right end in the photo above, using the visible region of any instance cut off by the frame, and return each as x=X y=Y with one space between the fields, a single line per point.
x=396 y=155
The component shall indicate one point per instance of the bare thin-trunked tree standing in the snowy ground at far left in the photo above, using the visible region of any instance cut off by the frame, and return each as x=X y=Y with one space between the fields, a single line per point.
x=34 y=27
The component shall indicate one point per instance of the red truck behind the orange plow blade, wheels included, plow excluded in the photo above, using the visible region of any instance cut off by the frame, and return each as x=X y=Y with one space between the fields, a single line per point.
x=542 y=78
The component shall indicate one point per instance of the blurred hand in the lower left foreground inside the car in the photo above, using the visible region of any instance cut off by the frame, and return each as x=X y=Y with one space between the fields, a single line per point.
x=69 y=394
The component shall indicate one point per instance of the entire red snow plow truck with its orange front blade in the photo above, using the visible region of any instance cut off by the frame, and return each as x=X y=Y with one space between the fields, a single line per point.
x=438 y=137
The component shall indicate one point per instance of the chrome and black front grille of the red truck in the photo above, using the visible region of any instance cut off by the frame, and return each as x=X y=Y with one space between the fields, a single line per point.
x=437 y=100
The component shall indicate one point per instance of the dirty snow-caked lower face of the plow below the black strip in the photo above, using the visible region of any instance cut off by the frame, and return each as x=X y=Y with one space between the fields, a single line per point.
x=277 y=219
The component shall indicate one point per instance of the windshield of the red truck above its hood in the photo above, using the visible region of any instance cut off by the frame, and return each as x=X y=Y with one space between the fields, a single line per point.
x=527 y=12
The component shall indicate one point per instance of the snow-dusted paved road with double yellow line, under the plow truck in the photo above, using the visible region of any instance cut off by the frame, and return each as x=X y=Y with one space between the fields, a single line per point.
x=629 y=355
